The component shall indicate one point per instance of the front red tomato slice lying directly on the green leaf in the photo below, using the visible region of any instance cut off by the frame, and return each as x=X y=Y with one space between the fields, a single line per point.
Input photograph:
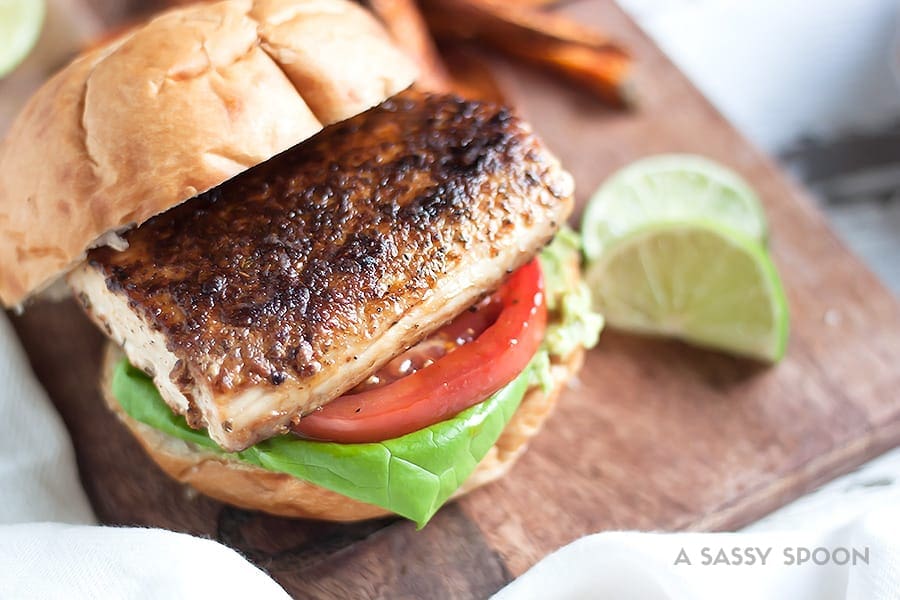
x=464 y=375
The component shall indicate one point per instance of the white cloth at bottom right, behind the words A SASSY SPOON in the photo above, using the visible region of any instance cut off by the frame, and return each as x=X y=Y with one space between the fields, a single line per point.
x=642 y=566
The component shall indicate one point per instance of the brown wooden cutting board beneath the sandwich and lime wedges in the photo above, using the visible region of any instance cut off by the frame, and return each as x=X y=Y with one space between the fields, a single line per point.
x=655 y=435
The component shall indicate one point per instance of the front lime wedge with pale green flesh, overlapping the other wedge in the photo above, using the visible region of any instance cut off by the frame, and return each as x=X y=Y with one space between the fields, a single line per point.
x=697 y=281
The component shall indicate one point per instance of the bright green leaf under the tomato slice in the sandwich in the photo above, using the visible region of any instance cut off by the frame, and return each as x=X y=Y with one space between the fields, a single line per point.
x=412 y=475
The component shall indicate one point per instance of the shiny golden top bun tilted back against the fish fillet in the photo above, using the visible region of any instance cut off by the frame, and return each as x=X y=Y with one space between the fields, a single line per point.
x=171 y=109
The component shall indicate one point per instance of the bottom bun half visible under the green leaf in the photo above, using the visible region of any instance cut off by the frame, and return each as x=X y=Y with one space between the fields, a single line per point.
x=254 y=488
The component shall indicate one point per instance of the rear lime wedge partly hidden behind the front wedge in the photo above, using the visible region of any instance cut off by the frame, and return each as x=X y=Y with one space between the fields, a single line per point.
x=670 y=187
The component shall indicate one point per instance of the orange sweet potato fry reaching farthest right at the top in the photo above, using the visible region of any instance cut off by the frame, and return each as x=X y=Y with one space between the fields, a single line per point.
x=546 y=39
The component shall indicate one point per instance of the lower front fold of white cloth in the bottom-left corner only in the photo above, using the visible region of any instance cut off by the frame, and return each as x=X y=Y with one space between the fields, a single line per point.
x=54 y=560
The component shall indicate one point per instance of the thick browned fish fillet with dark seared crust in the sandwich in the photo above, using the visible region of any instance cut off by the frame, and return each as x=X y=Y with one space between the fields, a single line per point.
x=283 y=288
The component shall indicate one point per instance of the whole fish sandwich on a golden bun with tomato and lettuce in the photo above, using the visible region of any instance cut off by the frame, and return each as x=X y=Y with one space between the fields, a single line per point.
x=327 y=294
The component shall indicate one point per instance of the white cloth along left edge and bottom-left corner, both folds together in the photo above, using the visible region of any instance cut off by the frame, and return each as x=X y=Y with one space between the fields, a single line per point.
x=71 y=557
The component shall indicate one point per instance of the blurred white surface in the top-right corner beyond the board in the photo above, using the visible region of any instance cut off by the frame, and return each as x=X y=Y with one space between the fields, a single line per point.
x=781 y=69
